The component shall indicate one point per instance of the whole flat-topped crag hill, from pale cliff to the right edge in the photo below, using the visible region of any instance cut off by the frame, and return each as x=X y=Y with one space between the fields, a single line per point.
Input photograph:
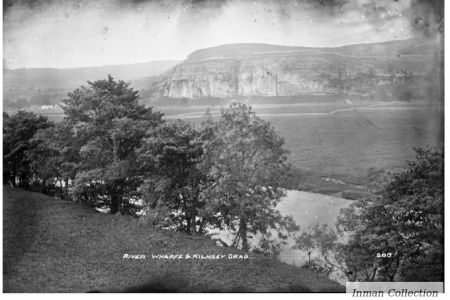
x=218 y=72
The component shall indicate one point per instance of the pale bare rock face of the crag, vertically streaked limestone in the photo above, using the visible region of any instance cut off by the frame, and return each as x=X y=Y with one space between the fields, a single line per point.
x=263 y=76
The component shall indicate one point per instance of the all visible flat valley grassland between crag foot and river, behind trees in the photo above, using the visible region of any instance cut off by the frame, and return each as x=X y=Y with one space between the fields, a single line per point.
x=339 y=145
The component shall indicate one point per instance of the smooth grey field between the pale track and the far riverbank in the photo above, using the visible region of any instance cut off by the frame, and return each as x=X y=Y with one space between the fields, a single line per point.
x=353 y=144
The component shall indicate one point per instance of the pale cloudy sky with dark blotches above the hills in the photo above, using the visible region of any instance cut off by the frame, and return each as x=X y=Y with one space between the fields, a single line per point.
x=79 y=33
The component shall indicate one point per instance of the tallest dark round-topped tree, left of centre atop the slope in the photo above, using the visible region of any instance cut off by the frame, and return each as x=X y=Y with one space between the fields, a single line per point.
x=108 y=122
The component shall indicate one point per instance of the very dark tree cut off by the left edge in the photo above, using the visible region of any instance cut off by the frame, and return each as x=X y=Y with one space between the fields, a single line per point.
x=18 y=130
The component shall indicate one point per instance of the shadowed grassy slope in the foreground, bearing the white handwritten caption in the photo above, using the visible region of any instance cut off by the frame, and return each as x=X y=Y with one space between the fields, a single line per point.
x=52 y=245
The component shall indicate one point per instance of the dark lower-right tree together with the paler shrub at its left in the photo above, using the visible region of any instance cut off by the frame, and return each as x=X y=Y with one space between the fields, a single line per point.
x=395 y=234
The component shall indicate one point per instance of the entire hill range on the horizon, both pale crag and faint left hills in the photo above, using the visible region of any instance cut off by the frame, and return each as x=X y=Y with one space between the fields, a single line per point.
x=393 y=70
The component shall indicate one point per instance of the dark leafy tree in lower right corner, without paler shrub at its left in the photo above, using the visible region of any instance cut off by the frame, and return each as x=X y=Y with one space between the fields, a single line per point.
x=400 y=227
